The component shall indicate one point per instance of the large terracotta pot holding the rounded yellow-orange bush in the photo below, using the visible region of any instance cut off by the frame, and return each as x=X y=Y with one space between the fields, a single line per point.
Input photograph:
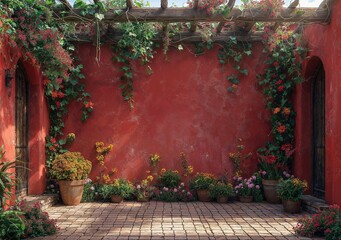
x=71 y=191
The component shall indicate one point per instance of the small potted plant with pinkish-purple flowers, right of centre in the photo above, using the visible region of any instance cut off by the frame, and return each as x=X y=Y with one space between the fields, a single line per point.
x=245 y=188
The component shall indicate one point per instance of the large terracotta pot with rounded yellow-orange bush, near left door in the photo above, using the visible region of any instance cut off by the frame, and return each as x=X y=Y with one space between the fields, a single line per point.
x=71 y=169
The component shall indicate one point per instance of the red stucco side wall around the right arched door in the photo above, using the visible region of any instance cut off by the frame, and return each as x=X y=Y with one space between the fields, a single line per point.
x=325 y=43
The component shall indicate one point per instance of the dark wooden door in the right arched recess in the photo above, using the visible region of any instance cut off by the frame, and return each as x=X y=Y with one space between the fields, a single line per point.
x=319 y=133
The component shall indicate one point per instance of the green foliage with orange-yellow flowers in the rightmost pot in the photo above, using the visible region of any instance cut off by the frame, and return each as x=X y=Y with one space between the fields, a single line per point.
x=292 y=189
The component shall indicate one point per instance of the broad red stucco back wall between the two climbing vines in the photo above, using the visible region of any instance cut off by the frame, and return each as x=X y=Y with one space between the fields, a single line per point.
x=183 y=106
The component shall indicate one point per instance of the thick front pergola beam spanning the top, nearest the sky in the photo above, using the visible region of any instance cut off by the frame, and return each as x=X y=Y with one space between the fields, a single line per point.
x=306 y=15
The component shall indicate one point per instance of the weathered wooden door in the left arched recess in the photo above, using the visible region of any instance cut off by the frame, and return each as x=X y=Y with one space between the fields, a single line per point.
x=21 y=132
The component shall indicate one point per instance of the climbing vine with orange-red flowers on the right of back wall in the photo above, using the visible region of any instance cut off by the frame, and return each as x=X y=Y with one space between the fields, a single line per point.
x=282 y=73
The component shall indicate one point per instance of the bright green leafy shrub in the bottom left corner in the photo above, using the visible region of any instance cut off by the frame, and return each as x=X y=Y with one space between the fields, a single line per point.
x=11 y=225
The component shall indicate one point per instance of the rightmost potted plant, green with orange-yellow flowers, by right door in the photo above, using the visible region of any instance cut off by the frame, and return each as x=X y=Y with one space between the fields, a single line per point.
x=291 y=192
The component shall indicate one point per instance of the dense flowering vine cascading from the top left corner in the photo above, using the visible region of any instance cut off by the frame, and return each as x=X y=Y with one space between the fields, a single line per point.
x=30 y=27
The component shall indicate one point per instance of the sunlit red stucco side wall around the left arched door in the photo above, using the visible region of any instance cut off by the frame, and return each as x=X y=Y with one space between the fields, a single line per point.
x=38 y=116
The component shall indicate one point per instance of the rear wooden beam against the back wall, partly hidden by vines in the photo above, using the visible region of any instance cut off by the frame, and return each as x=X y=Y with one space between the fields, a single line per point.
x=183 y=37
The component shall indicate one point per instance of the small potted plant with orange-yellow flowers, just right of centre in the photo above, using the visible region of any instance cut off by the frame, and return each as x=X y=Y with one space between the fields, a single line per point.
x=201 y=183
